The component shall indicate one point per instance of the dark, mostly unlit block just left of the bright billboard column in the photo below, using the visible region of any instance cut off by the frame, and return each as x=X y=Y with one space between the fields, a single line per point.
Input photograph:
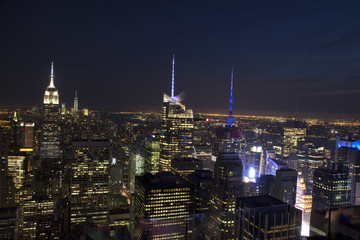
x=285 y=185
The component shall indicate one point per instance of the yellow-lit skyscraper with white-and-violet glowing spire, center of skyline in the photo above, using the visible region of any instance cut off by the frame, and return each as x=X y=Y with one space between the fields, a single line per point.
x=176 y=139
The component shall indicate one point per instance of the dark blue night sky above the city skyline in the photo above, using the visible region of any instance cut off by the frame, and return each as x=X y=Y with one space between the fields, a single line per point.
x=288 y=56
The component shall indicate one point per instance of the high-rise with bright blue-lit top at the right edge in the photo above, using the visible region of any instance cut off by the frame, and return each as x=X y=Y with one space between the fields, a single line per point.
x=348 y=152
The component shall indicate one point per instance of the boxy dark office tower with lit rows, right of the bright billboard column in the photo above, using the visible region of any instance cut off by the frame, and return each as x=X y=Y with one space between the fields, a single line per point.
x=332 y=187
